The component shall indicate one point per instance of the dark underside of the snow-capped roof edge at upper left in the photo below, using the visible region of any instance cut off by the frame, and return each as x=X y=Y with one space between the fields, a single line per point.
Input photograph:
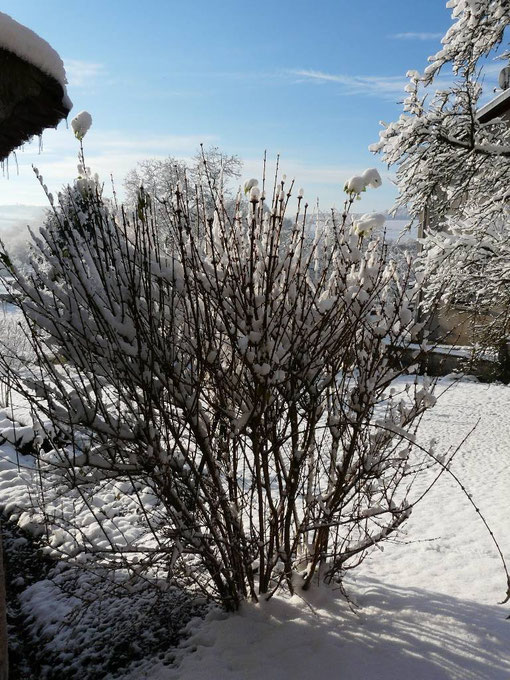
x=30 y=101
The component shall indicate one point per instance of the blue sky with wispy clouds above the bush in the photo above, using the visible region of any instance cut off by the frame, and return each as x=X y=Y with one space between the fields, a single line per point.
x=308 y=80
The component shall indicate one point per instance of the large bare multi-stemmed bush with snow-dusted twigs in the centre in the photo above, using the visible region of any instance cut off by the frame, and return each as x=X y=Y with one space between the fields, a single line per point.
x=222 y=413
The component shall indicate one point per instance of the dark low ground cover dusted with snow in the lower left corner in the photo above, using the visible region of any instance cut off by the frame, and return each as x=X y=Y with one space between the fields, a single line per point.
x=69 y=623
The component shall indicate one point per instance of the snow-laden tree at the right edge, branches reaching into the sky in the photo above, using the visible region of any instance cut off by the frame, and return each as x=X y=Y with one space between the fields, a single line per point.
x=453 y=167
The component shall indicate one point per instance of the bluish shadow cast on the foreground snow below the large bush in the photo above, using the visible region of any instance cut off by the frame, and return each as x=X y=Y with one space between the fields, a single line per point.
x=398 y=634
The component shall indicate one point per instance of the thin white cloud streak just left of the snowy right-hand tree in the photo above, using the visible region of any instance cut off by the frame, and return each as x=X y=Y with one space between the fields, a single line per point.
x=387 y=86
